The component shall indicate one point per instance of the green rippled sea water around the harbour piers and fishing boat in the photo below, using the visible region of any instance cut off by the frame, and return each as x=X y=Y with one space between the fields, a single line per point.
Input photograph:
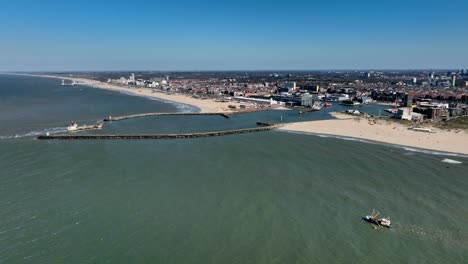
x=269 y=197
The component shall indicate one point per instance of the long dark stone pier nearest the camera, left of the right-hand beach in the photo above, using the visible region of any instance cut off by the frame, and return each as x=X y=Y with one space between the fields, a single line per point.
x=264 y=127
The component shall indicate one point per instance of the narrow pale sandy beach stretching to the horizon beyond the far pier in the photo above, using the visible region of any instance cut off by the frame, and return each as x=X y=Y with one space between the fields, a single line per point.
x=203 y=106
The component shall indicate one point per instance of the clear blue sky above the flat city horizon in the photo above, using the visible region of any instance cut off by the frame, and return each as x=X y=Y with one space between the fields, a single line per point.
x=67 y=35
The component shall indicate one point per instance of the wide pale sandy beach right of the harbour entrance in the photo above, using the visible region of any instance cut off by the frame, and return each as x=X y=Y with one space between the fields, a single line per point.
x=455 y=141
